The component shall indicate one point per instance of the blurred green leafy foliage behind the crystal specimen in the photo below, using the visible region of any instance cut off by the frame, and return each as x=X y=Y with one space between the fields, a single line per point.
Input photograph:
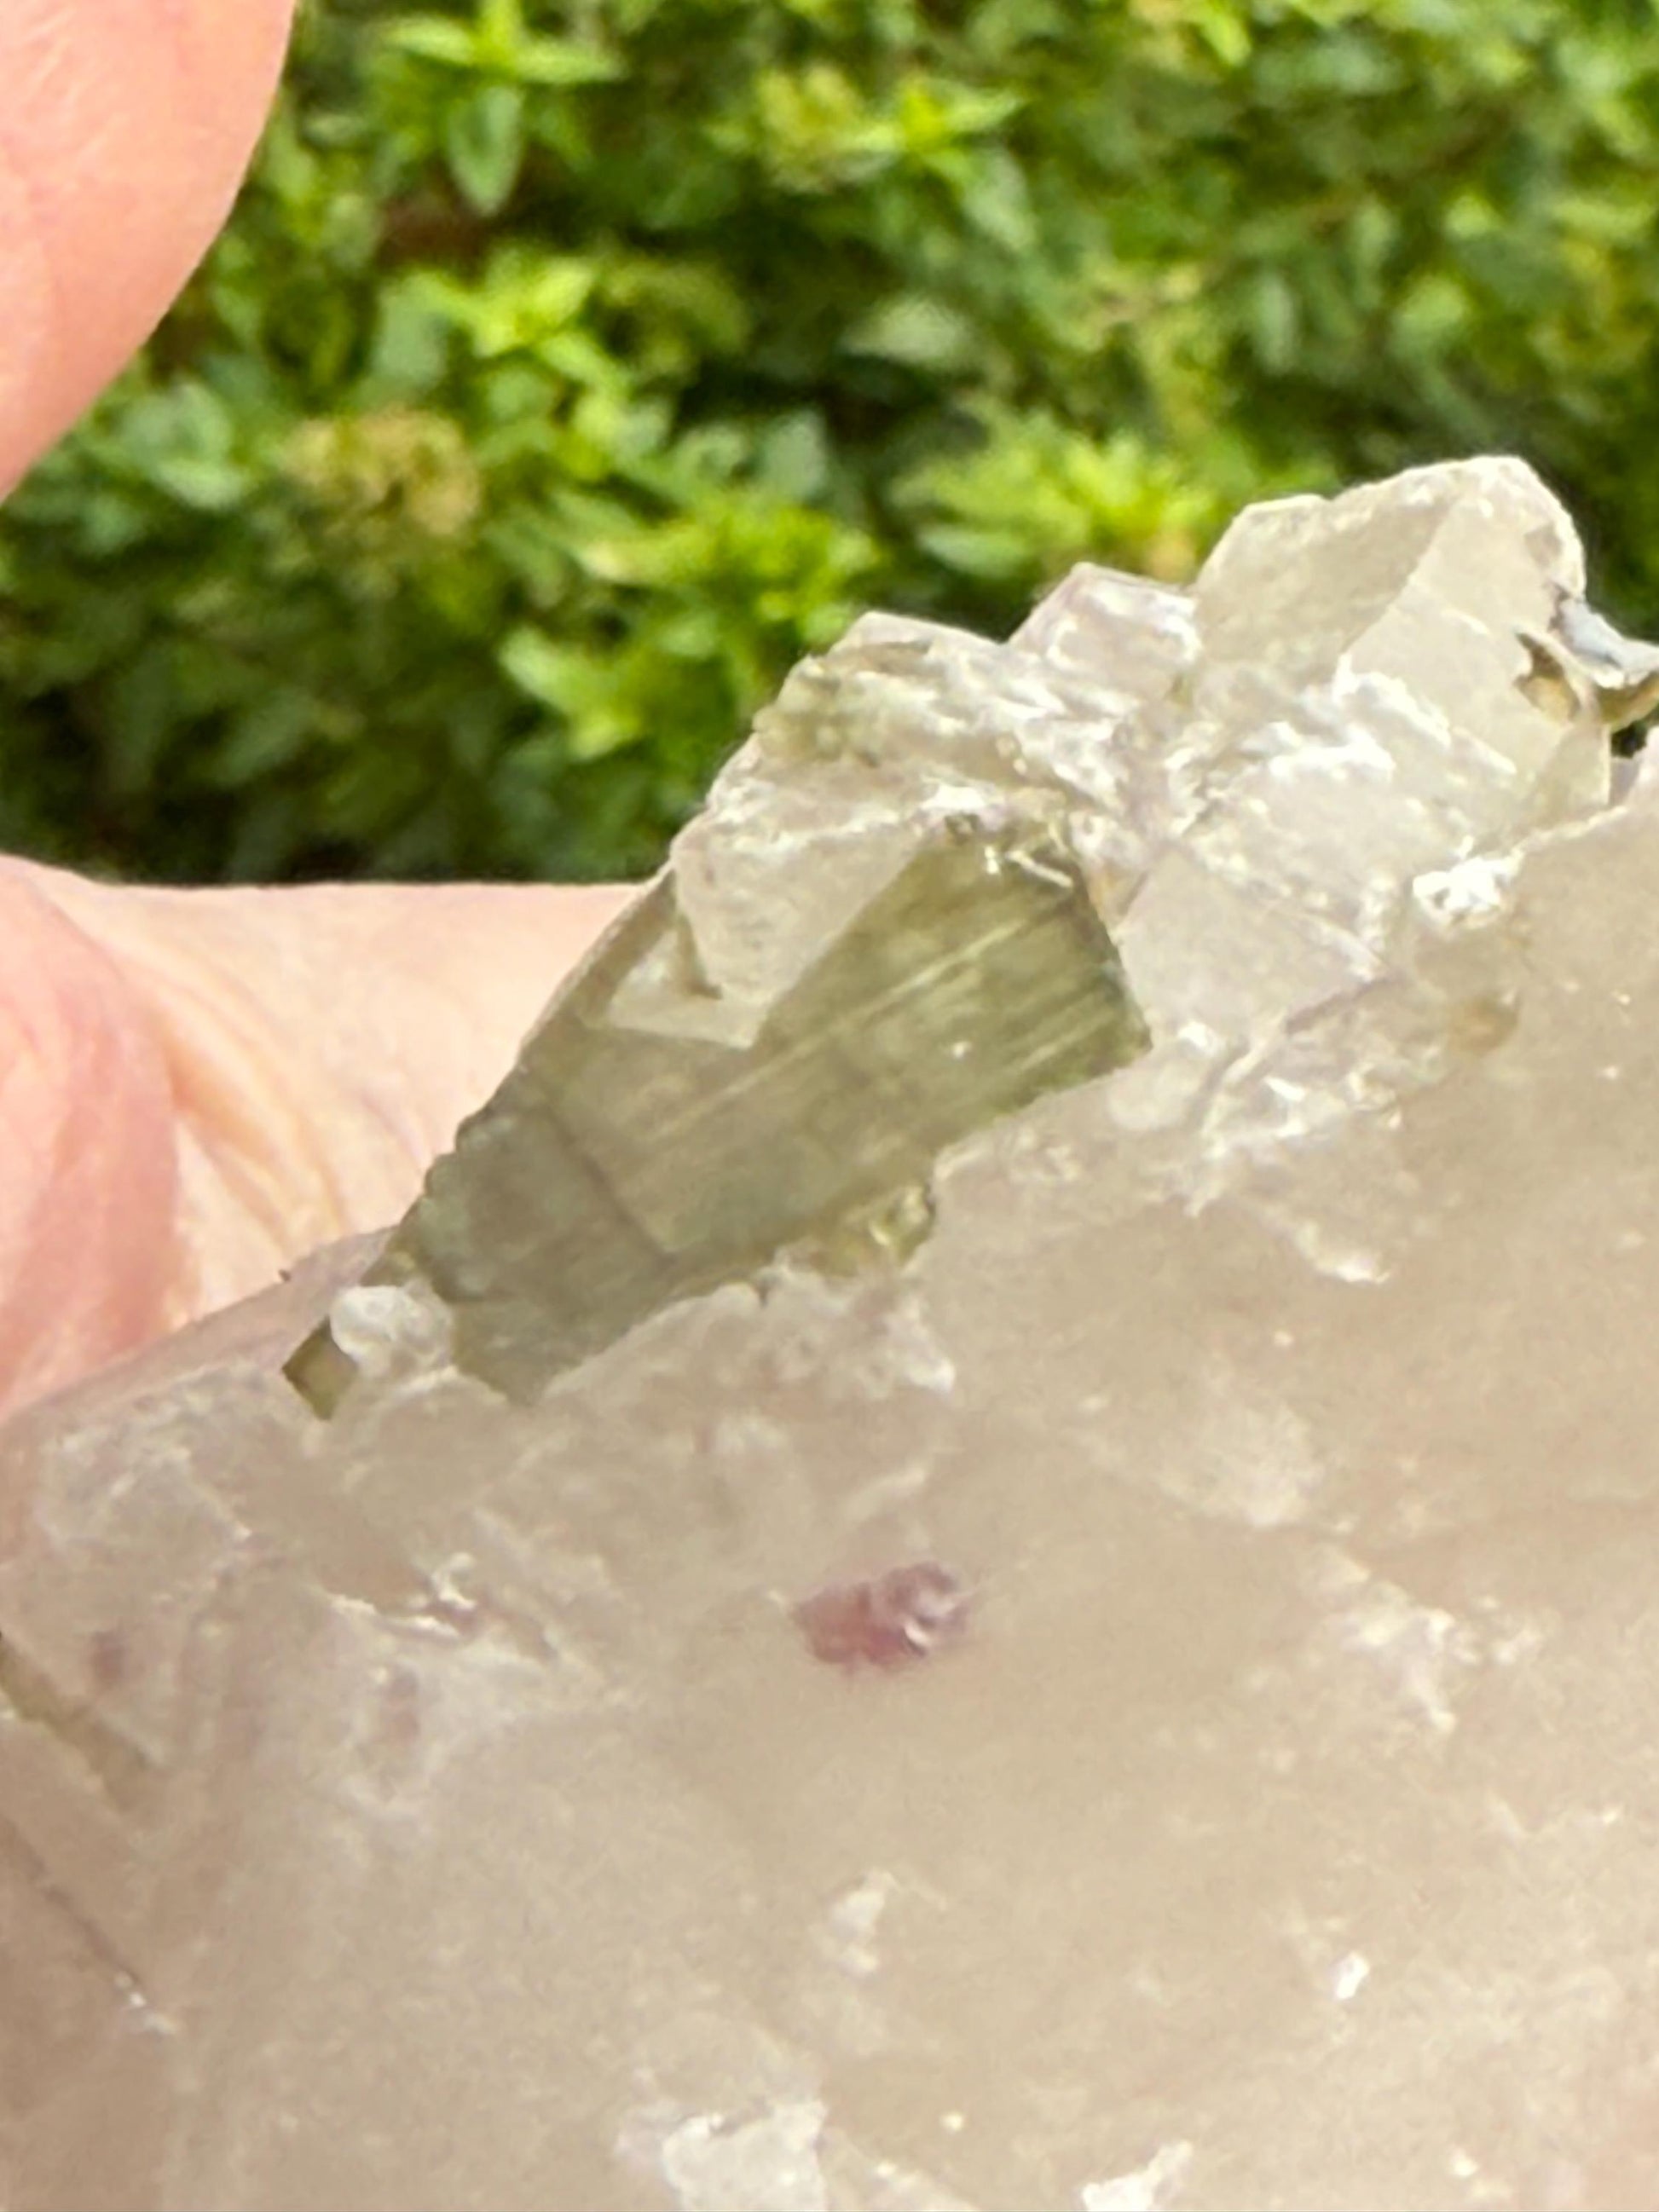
x=574 y=366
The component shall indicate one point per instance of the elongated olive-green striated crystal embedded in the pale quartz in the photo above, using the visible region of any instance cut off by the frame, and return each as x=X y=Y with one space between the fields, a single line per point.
x=623 y=1169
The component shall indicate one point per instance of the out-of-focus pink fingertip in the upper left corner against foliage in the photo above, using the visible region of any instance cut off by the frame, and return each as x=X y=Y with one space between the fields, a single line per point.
x=125 y=129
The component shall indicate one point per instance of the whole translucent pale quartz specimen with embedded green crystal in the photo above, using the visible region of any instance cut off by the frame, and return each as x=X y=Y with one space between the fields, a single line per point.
x=990 y=1543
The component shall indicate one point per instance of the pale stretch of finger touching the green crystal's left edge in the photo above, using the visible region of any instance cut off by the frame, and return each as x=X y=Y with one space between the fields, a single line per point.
x=317 y=1045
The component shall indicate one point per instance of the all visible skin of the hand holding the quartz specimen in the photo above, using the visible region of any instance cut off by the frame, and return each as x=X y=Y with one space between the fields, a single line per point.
x=187 y=1100
